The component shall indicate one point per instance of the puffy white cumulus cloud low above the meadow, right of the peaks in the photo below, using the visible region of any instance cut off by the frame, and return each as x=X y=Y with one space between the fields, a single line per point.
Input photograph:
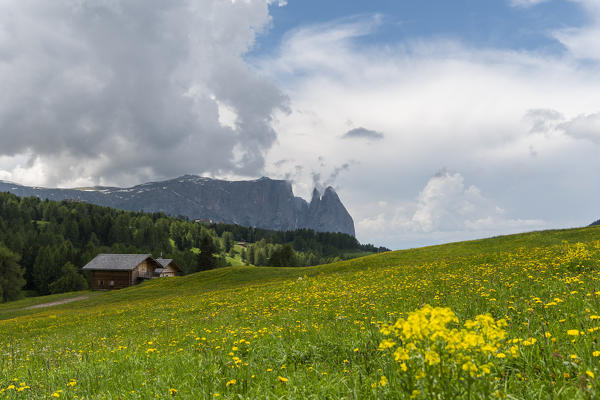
x=446 y=210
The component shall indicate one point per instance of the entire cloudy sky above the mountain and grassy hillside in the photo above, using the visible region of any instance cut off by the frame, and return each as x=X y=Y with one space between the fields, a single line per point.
x=435 y=121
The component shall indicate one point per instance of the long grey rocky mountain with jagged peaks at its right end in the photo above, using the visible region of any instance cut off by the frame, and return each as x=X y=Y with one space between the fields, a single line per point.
x=262 y=203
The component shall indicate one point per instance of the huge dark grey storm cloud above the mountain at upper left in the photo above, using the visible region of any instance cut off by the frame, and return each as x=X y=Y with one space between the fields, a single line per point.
x=131 y=89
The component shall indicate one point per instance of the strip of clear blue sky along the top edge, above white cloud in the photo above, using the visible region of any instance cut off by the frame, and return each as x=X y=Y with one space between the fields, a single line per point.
x=490 y=23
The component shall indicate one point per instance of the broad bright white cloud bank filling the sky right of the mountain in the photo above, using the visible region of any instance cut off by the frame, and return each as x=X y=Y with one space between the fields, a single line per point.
x=440 y=104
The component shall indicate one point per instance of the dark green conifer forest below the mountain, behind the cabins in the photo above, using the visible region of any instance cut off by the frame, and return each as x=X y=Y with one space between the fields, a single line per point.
x=44 y=244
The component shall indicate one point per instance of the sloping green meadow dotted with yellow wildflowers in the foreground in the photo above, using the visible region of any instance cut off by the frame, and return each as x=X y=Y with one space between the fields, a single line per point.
x=509 y=317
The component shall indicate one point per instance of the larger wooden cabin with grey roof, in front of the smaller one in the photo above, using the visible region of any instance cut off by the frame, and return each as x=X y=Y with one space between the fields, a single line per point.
x=117 y=271
